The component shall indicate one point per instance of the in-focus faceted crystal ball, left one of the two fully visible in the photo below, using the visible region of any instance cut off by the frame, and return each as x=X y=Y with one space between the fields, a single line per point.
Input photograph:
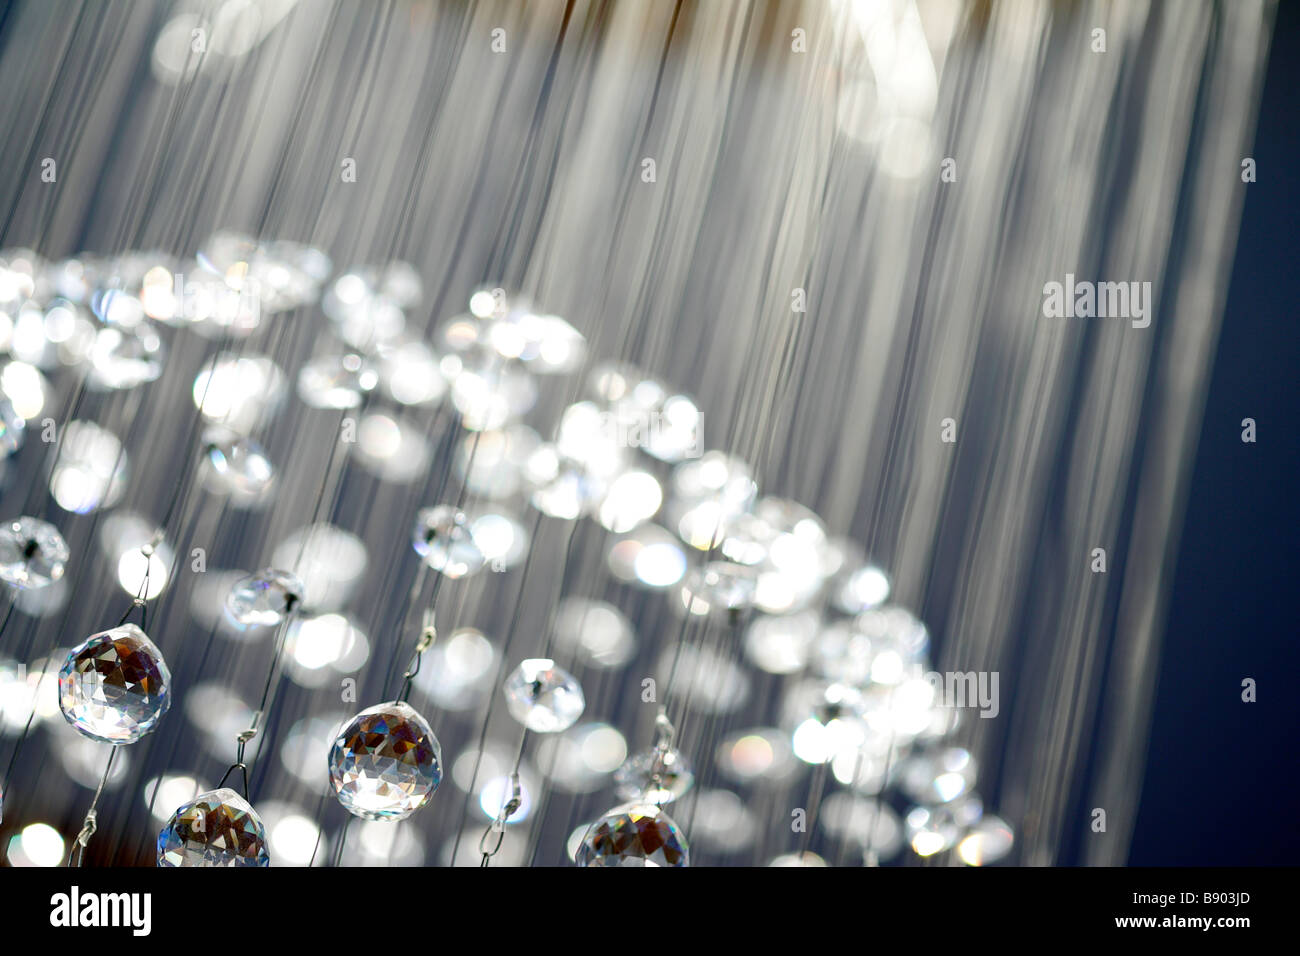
x=115 y=686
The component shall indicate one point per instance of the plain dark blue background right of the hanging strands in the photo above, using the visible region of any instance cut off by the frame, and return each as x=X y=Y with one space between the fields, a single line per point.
x=1223 y=785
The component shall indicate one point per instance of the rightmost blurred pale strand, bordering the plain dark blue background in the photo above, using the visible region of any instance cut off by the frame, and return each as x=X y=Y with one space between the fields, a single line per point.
x=1227 y=126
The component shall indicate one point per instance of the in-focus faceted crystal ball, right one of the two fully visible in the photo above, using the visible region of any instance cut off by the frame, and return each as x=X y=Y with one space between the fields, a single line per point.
x=385 y=763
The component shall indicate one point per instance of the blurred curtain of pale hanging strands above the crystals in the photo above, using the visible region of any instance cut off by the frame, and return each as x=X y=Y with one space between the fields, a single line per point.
x=924 y=299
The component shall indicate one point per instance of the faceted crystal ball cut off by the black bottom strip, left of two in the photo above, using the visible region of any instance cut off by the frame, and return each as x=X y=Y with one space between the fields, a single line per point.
x=215 y=829
